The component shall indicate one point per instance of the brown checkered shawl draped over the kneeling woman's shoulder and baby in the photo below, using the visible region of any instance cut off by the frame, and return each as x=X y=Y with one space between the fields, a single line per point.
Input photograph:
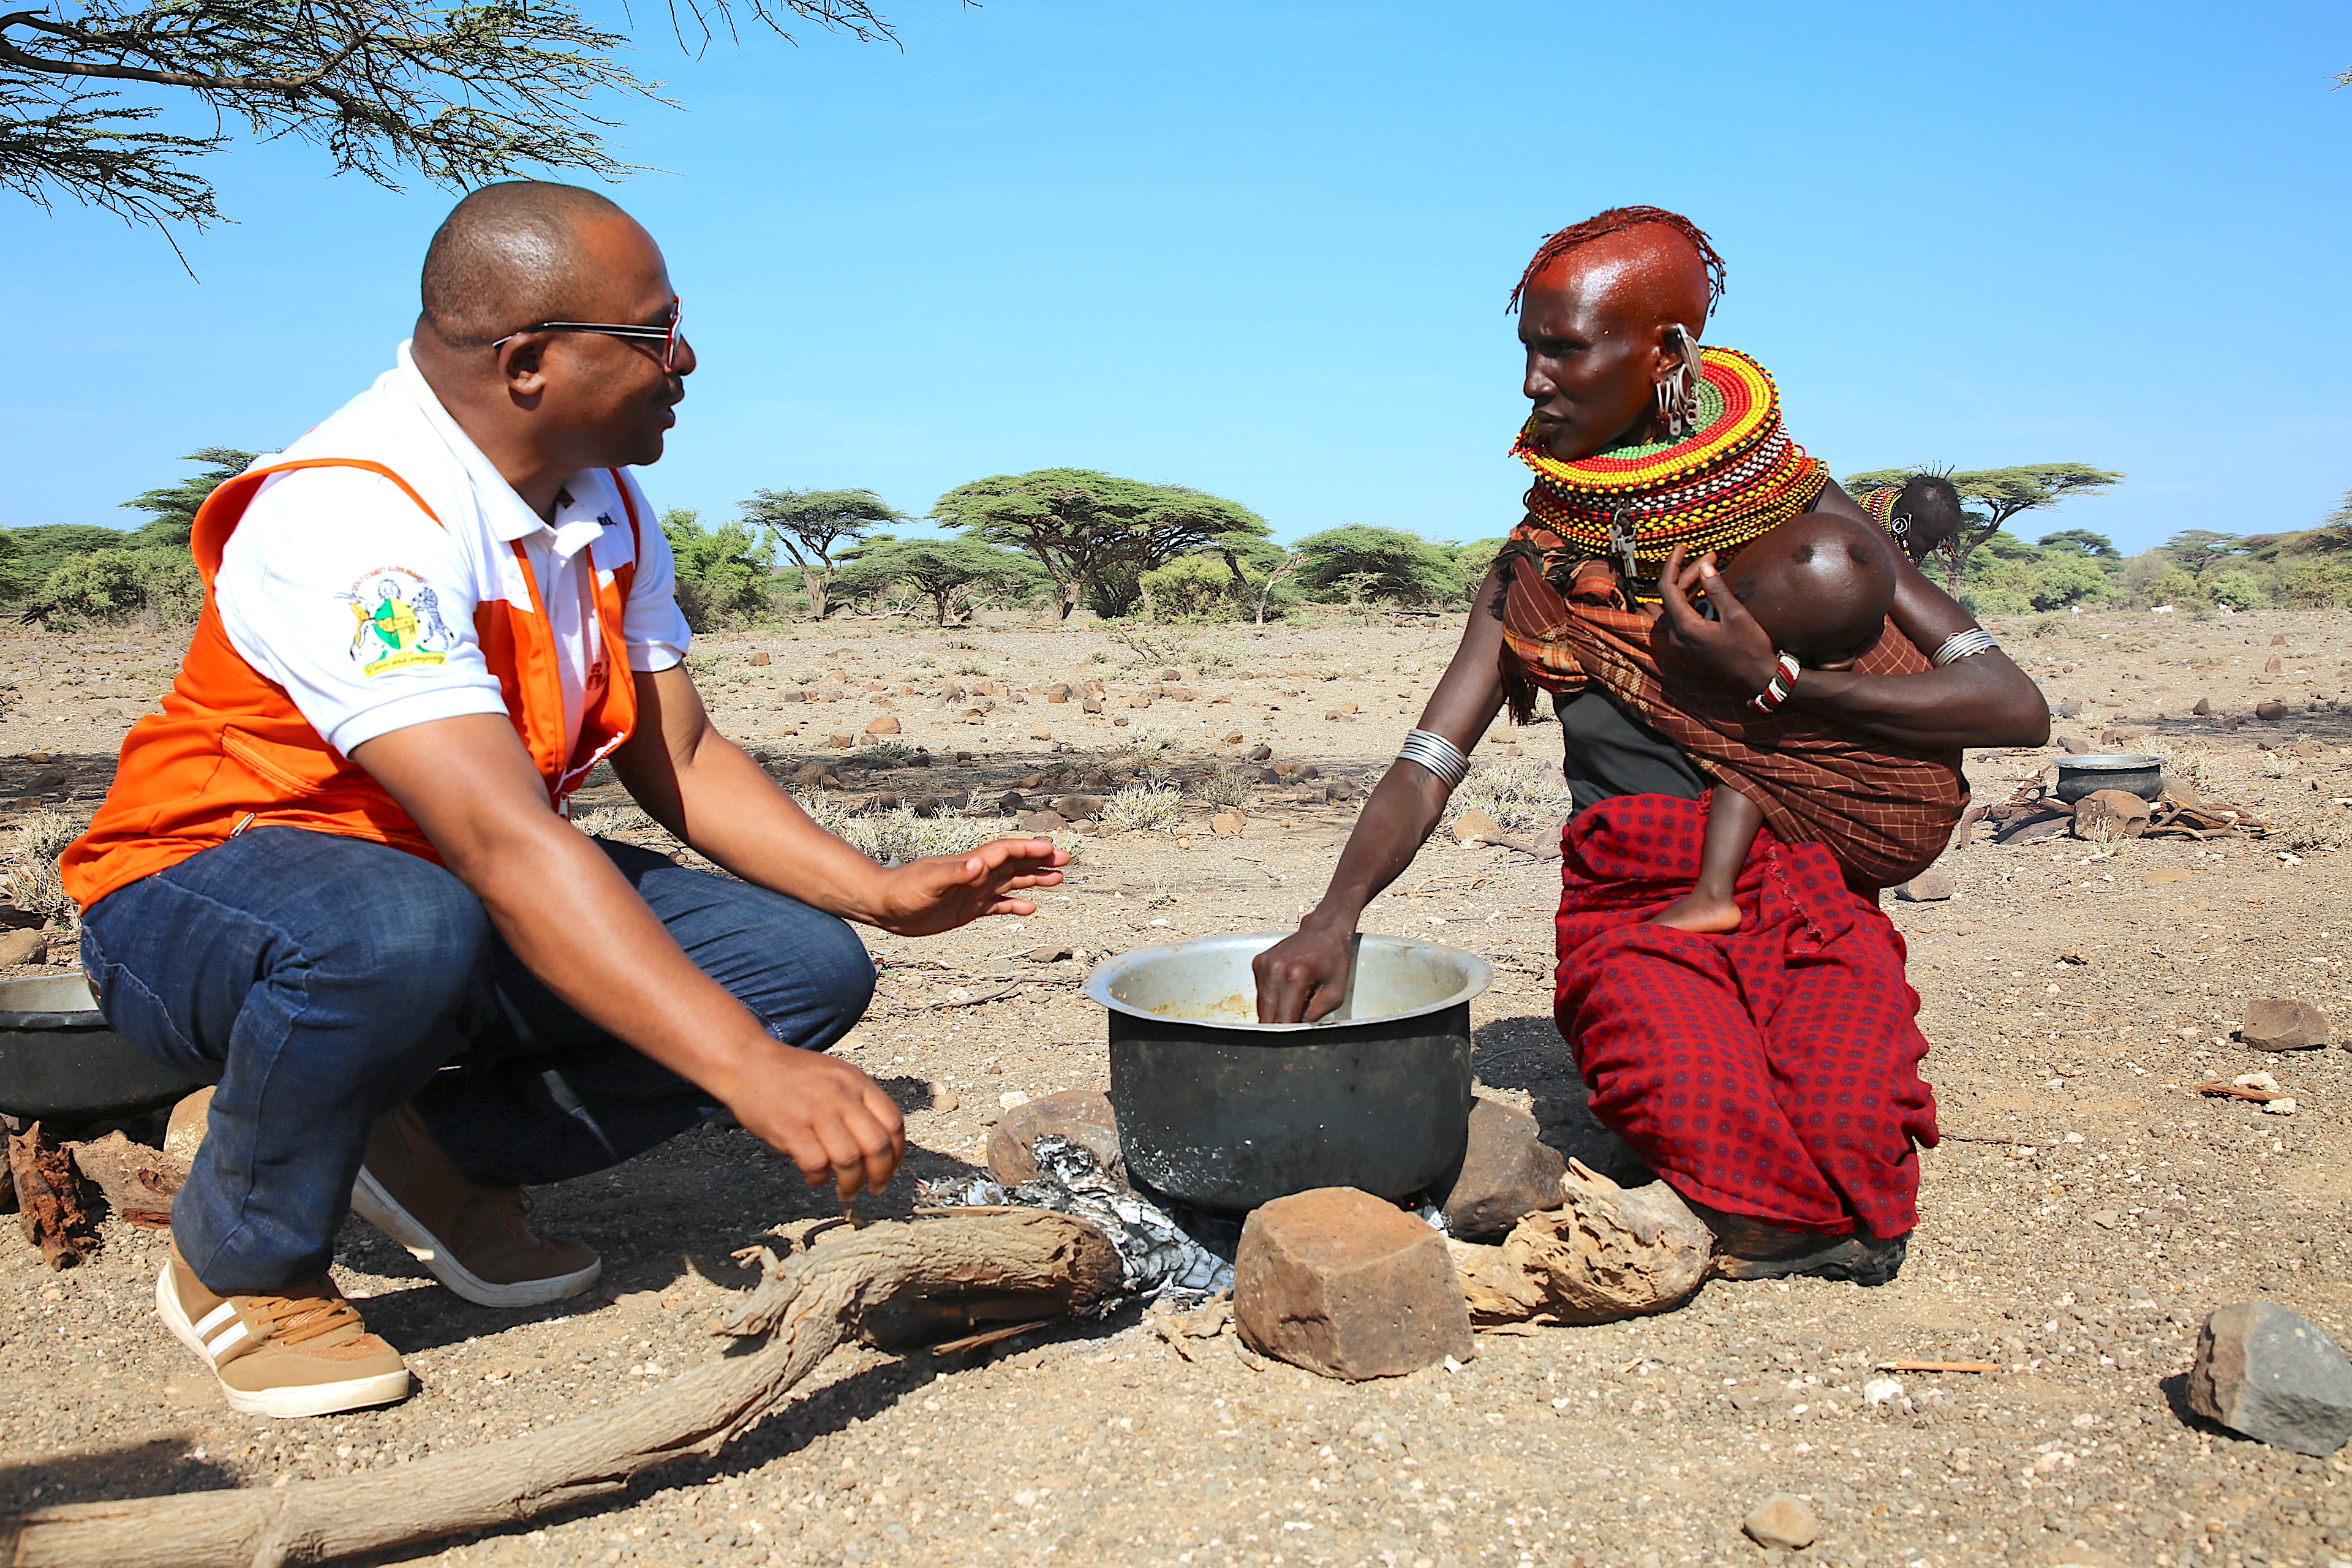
x=1883 y=810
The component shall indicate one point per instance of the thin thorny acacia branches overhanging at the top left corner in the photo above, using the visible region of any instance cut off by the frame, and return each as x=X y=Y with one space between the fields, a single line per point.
x=460 y=95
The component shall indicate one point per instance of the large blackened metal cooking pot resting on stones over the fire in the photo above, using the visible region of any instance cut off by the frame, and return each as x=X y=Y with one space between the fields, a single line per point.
x=1231 y=1113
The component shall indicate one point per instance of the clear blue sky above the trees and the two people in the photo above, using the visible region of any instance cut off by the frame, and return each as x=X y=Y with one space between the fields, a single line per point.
x=1264 y=250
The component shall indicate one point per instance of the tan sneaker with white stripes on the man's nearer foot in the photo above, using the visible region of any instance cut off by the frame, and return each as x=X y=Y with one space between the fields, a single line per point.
x=305 y=1353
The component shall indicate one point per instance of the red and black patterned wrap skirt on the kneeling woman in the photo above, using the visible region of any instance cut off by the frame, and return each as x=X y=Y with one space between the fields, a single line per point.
x=1770 y=1073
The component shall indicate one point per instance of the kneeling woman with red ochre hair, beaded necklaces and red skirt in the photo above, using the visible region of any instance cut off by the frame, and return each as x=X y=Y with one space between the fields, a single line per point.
x=1772 y=1073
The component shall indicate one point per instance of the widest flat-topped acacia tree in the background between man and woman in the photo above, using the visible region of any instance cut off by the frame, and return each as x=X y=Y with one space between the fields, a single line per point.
x=1093 y=528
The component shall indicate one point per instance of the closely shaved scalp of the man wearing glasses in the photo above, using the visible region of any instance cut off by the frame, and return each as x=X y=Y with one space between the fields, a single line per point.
x=512 y=255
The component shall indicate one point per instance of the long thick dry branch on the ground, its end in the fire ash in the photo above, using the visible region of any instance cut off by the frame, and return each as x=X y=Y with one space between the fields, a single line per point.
x=808 y=1306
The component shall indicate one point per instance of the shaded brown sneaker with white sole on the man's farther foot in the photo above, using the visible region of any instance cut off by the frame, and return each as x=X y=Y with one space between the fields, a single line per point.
x=472 y=1238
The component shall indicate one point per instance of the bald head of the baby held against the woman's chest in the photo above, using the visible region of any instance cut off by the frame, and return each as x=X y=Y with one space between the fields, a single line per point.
x=1819 y=584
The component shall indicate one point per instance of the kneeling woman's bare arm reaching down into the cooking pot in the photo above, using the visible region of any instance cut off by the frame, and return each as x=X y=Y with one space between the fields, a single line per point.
x=1304 y=977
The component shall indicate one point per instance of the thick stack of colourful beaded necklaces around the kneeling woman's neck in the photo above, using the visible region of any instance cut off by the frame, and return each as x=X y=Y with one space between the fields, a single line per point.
x=1716 y=490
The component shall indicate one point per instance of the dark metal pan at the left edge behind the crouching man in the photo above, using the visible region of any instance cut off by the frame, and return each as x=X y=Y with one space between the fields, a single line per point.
x=62 y=1064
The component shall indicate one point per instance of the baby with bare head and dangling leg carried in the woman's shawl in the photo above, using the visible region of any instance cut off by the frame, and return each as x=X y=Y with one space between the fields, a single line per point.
x=1822 y=594
